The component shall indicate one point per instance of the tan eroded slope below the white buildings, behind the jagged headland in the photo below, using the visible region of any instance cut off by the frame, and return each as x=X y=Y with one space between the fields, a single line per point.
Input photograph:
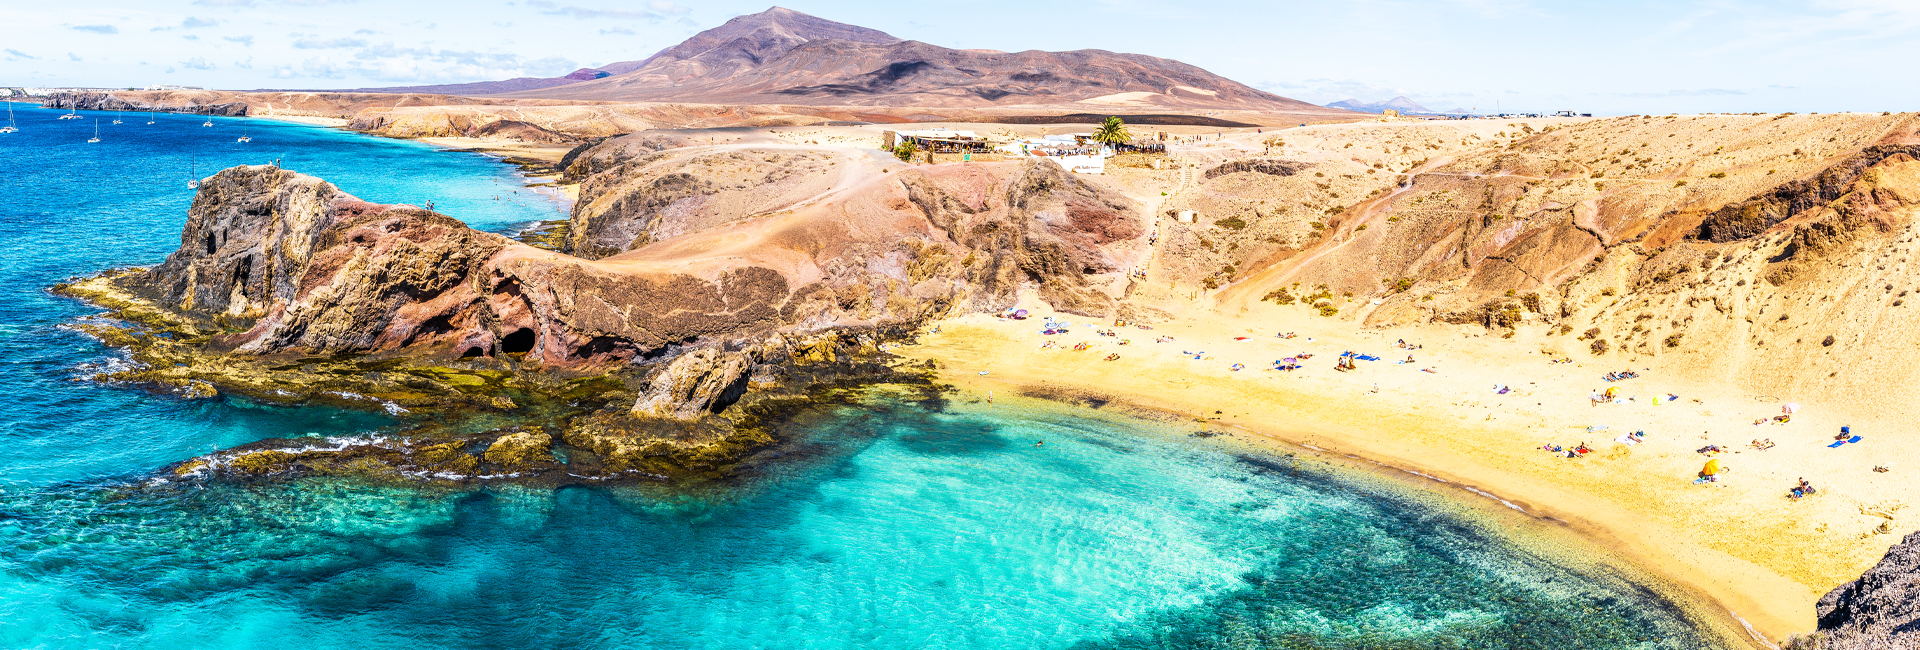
x=924 y=241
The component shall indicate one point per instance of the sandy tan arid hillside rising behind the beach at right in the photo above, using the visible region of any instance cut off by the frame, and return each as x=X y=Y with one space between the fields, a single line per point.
x=1777 y=246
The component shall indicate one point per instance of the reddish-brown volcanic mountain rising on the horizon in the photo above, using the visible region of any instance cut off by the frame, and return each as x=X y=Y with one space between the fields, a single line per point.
x=784 y=57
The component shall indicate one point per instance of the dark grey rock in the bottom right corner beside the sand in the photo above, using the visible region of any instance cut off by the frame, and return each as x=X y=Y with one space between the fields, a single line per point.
x=1877 y=613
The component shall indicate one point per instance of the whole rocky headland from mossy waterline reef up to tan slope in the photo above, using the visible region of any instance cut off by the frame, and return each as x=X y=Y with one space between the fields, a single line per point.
x=665 y=358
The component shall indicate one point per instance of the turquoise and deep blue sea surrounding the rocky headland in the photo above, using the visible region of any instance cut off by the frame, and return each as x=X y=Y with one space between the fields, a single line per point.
x=892 y=524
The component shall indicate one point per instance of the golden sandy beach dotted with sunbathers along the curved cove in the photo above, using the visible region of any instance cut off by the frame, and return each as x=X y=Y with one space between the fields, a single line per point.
x=1737 y=542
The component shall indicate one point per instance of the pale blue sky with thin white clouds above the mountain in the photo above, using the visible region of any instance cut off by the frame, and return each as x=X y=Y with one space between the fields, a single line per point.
x=1606 y=58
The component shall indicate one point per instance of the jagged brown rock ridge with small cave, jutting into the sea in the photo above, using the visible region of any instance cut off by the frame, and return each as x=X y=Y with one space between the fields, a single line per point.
x=308 y=269
